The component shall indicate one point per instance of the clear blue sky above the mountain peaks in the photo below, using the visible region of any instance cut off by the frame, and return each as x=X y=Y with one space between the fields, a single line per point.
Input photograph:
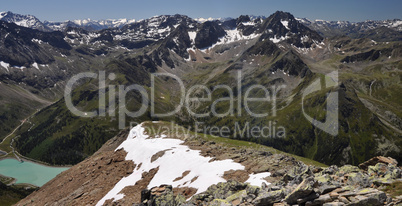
x=352 y=10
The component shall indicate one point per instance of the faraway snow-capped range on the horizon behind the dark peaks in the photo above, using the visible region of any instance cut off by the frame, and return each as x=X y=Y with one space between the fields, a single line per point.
x=325 y=28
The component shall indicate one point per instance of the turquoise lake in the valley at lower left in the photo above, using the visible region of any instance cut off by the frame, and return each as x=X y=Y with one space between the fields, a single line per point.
x=29 y=172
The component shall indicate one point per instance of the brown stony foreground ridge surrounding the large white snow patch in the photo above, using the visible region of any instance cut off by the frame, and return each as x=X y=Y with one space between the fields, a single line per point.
x=292 y=182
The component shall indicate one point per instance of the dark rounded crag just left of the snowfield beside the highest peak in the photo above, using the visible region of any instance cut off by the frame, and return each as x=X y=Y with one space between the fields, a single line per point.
x=208 y=34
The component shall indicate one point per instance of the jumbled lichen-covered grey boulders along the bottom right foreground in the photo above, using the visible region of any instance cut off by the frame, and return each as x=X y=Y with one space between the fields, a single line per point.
x=304 y=185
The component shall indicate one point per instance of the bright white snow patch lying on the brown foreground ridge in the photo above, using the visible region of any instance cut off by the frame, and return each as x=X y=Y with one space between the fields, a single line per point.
x=177 y=158
